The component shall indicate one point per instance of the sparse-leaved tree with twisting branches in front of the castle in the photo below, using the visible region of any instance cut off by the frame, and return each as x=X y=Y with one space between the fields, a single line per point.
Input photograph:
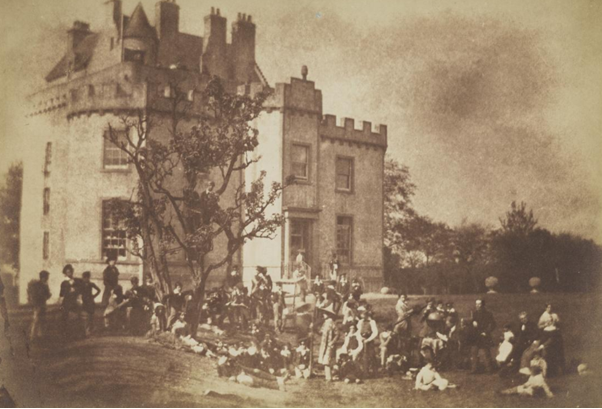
x=169 y=213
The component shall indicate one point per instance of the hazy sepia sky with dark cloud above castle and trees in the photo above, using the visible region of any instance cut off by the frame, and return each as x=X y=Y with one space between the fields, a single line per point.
x=487 y=102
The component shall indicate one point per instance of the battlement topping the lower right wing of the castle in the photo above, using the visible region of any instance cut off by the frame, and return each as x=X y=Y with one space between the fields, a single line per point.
x=346 y=131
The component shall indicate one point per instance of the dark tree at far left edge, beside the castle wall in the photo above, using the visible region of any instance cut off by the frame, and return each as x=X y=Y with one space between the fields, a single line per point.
x=10 y=210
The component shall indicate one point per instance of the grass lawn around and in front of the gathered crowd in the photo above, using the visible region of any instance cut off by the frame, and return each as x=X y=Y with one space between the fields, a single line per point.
x=125 y=371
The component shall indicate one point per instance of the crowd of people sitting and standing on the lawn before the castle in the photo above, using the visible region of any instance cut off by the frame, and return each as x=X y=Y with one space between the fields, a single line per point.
x=340 y=341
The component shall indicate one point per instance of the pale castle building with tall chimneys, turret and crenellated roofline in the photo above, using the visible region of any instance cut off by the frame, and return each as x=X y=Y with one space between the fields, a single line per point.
x=336 y=206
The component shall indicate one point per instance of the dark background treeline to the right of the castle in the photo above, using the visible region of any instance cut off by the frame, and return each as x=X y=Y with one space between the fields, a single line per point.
x=428 y=257
